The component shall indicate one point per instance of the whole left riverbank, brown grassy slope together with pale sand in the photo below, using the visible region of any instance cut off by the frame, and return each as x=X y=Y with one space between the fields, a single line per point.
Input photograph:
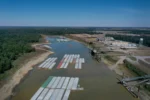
x=25 y=64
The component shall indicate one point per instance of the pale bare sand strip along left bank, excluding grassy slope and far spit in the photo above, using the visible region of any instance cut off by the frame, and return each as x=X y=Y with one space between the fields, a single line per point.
x=6 y=90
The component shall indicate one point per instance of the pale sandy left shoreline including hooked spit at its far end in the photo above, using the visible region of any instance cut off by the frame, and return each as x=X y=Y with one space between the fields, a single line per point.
x=7 y=89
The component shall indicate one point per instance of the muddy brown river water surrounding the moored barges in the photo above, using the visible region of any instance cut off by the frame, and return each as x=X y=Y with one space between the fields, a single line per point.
x=98 y=81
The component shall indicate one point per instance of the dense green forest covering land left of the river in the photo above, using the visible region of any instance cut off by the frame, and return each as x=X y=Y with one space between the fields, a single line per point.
x=13 y=45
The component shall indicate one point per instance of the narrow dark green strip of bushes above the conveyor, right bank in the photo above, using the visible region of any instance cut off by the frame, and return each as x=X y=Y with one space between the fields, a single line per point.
x=134 y=68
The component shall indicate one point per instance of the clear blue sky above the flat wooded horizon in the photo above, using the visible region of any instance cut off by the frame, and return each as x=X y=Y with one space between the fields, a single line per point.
x=101 y=13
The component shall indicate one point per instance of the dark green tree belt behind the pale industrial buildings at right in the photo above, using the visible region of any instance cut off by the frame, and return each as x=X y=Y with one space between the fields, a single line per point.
x=133 y=39
